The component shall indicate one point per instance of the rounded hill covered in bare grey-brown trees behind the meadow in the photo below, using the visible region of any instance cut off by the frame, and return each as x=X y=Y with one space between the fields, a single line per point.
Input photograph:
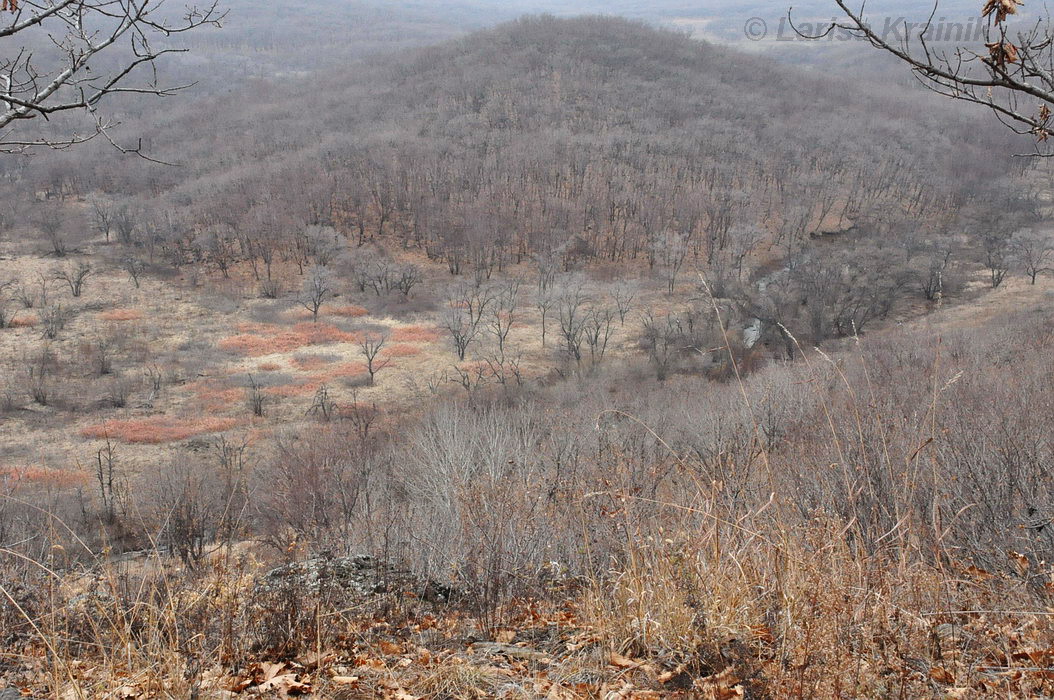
x=601 y=132
